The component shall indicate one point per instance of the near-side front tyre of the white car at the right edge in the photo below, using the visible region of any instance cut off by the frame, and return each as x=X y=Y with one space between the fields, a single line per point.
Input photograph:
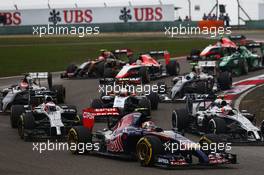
x=217 y=126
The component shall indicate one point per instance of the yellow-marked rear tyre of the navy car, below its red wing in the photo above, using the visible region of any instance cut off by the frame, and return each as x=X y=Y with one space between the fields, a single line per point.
x=78 y=137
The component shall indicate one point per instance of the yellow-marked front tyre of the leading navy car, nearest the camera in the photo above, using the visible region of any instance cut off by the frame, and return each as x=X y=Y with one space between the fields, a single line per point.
x=148 y=147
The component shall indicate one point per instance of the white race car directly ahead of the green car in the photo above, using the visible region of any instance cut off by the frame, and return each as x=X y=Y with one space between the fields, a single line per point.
x=194 y=82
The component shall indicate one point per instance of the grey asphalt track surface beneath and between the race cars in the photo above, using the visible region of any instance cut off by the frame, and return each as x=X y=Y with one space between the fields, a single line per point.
x=18 y=157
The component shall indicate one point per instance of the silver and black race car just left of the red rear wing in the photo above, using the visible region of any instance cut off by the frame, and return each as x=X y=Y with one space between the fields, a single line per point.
x=47 y=120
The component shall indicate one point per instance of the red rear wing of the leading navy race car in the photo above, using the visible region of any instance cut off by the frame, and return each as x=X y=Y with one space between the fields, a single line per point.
x=89 y=115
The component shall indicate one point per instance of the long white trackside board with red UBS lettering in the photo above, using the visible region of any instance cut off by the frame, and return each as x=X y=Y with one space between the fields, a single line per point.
x=89 y=15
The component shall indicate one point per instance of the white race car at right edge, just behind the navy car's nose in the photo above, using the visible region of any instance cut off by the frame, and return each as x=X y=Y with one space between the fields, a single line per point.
x=205 y=115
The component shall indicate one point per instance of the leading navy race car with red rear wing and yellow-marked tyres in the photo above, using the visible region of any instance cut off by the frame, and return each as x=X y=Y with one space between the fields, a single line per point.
x=135 y=137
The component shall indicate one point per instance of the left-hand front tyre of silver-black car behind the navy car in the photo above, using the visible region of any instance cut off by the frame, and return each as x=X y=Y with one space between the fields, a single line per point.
x=26 y=122
